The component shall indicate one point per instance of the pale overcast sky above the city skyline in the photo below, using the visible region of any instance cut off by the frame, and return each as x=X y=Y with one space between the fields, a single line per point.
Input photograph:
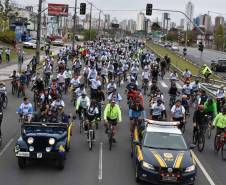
x=200 y=6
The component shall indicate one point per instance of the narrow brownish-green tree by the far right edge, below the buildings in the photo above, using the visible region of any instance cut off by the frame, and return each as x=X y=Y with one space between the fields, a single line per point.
x=219 y=37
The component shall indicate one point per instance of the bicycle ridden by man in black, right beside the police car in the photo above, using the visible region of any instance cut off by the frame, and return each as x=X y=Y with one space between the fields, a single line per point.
x=199 y=137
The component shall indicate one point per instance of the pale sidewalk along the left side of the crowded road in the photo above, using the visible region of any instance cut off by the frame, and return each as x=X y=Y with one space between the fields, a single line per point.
x=6 y=71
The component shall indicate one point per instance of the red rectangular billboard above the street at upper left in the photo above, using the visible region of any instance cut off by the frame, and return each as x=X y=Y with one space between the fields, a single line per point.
x=57 y=9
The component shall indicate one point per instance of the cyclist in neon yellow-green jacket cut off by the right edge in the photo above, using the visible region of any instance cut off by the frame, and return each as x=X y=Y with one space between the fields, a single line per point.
x=220 y=122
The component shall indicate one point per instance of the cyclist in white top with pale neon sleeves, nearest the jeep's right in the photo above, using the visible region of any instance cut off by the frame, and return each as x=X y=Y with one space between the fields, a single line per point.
x=83 y=102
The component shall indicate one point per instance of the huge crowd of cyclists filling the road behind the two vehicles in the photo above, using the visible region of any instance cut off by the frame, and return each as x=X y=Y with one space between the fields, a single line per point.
x=94 y=76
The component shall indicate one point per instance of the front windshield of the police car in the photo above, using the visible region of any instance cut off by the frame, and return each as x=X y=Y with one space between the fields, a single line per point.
x=167 y=141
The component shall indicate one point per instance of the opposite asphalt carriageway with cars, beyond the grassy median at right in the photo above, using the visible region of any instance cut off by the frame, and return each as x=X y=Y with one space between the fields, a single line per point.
x=208 y=55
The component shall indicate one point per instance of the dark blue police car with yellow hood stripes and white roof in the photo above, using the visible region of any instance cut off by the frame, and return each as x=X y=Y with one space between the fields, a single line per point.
x=162 y=155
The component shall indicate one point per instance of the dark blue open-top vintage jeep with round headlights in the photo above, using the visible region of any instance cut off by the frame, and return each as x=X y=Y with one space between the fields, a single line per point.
x=43 y=141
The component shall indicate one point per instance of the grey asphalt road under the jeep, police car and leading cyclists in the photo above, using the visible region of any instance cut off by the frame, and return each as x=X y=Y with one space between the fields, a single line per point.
x=83 y=167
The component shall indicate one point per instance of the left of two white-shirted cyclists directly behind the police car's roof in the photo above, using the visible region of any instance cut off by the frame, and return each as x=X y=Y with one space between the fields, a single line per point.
x=158 y=110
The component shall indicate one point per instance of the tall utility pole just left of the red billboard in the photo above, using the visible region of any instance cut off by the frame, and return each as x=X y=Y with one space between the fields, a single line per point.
x=39 y=18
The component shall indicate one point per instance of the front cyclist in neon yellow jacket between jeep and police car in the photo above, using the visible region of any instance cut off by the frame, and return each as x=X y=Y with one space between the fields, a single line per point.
x=112 y=114
